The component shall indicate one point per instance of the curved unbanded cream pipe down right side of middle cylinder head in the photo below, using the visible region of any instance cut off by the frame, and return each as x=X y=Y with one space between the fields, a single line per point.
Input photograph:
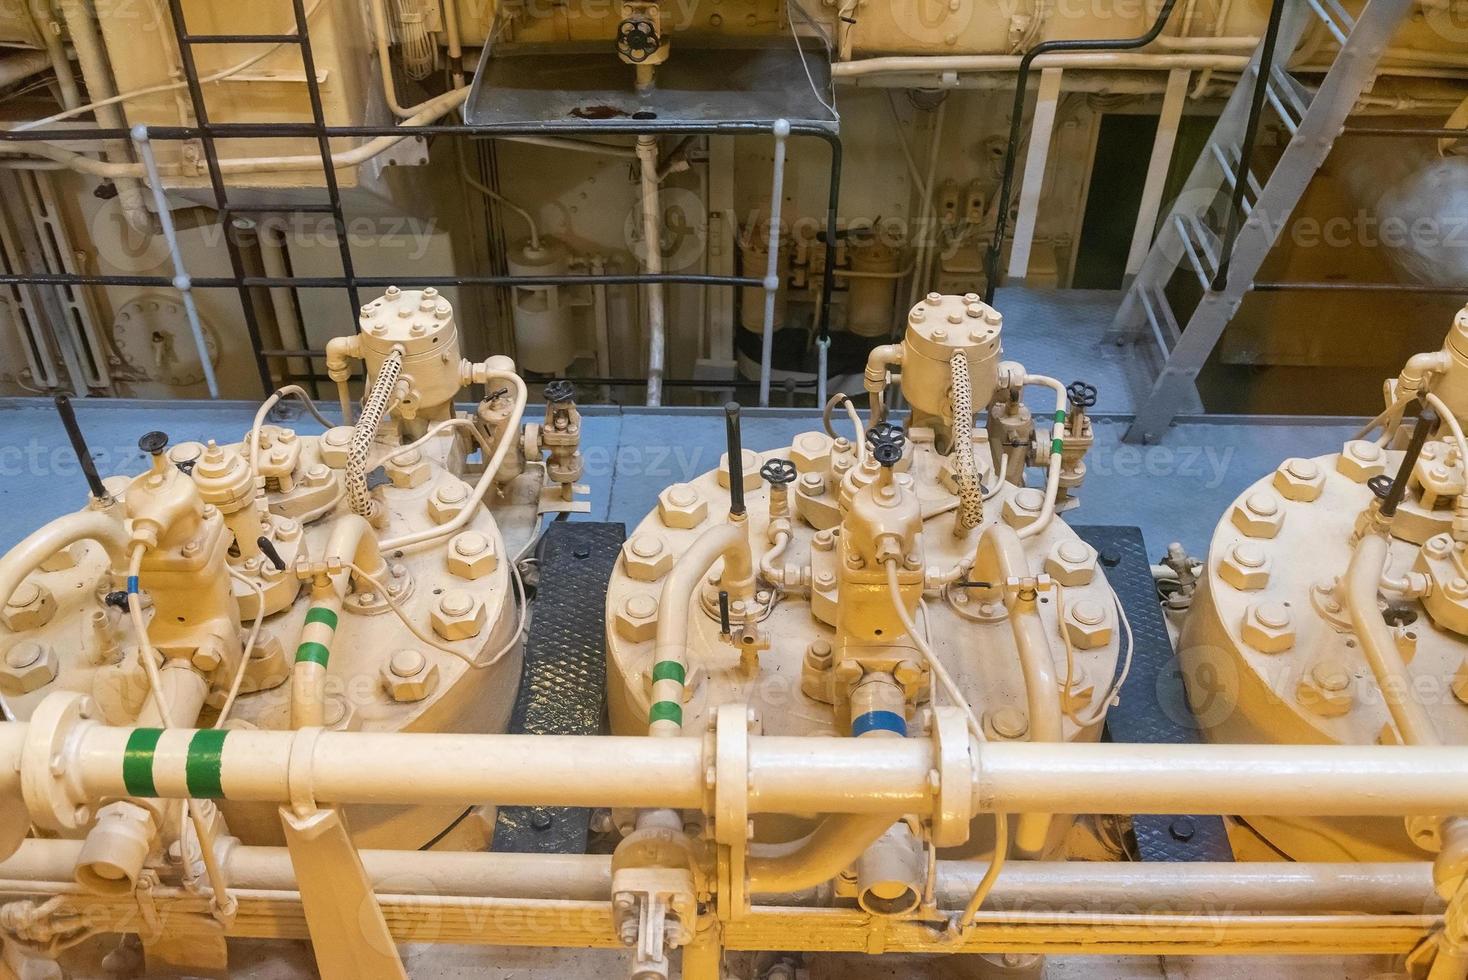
x=1000 y=558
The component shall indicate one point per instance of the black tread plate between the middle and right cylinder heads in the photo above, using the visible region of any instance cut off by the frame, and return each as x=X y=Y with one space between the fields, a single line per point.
x=1155 y=706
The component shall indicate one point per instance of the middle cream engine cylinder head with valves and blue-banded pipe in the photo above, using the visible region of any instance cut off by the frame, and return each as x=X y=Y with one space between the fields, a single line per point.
x=840 y=586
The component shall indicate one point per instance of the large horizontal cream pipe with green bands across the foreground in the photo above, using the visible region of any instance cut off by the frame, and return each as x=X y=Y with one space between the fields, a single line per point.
x=786 y=774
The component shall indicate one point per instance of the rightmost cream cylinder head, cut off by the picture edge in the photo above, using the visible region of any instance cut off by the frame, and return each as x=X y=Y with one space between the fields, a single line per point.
x=1331 y=610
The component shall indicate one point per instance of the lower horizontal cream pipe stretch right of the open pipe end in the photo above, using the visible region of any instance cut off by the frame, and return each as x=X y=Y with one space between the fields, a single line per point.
x=1203 y=888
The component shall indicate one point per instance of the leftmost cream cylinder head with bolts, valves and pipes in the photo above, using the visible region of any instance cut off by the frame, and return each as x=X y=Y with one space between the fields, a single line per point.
x=359 y=580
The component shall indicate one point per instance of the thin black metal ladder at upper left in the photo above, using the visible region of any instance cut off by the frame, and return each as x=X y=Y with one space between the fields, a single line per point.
x=227 y=212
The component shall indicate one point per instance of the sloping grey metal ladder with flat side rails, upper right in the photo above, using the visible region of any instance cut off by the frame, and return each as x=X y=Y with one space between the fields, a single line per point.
x=1227 y=246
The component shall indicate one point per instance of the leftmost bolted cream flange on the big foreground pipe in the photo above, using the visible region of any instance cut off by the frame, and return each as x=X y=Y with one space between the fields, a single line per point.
x=54 y=789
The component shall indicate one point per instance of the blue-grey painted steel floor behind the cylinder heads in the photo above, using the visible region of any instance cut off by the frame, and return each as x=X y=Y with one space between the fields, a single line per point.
x=1175 y=491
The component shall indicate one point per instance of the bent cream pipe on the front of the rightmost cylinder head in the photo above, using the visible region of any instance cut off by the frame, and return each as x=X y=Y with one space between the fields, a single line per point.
x=1379 y=646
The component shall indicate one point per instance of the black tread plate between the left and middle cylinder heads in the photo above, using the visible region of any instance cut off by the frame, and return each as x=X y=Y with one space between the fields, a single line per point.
x=563 y=690
